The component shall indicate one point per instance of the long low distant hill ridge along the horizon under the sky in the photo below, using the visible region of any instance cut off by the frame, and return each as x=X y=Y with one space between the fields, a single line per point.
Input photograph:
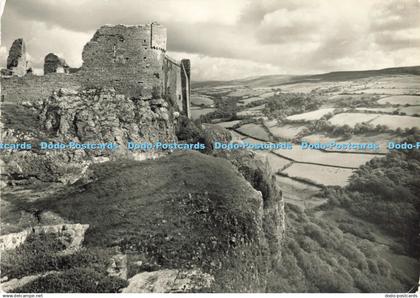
x=275 y=80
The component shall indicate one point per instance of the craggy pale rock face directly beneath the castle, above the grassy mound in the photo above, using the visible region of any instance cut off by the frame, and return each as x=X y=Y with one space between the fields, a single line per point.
x=87 y=116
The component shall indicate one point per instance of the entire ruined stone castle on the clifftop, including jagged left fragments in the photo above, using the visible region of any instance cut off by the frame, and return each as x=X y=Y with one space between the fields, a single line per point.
x=130 y=59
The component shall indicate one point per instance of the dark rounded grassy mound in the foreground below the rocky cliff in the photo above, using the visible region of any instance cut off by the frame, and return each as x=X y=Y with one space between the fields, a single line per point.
x=181 y=211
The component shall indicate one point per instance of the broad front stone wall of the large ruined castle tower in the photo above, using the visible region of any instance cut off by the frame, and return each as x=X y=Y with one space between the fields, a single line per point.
x=123 y=57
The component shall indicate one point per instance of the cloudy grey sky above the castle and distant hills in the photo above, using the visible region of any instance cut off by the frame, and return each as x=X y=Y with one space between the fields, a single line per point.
x=227 y=39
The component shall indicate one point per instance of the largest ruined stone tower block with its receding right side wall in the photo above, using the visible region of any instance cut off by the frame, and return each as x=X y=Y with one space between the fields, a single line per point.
x=133 y=59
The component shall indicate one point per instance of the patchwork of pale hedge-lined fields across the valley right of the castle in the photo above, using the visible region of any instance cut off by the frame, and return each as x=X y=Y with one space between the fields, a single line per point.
x=363 y=110
